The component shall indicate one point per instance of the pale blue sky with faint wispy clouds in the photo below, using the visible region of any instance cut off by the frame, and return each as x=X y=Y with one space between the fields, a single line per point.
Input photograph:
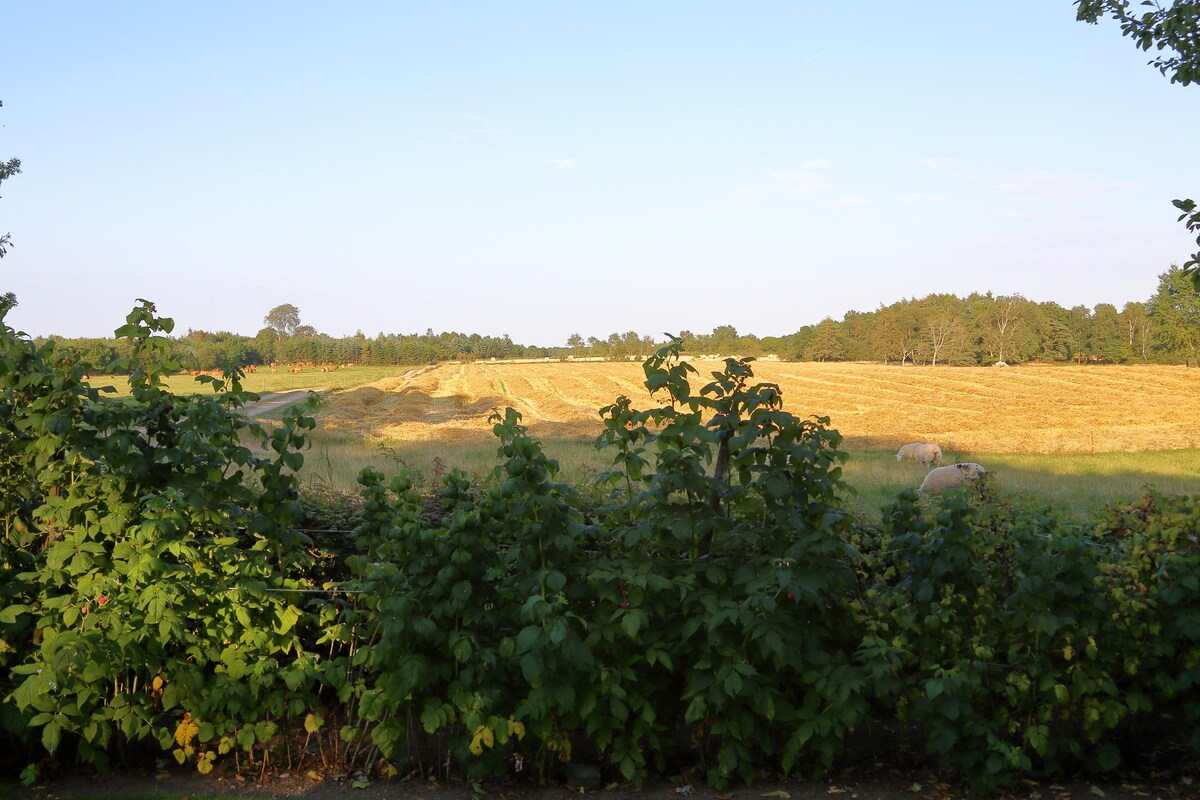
x=542 y=170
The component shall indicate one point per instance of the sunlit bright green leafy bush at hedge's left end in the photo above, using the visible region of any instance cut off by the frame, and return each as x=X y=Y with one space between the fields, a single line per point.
x=146 y=561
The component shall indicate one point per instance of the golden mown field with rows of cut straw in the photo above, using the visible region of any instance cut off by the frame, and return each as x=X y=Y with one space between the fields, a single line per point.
x=1041 y=410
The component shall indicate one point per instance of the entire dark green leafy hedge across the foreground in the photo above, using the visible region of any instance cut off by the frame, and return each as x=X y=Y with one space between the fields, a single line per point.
x=718 y=610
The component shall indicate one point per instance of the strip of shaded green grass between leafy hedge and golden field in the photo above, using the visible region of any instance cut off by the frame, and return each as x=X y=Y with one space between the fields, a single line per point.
x=1079 y=486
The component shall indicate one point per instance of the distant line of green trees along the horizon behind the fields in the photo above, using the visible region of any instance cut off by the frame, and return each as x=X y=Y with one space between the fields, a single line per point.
x=939 y=329
